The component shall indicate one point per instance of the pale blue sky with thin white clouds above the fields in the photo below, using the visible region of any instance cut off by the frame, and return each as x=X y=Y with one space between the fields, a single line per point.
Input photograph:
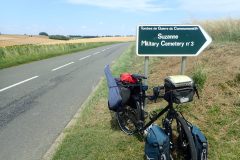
x=106 y=17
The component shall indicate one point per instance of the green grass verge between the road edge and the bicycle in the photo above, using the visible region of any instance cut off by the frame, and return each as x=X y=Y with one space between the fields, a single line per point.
x=95 y=134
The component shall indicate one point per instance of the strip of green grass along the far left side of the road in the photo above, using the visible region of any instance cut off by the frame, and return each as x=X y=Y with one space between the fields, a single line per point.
x=15 y=55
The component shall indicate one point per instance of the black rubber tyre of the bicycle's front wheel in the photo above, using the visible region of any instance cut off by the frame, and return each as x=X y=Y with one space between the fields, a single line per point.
x=189 y=137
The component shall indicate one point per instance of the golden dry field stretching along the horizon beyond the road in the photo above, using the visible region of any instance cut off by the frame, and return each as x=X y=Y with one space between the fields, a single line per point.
x=11 y=40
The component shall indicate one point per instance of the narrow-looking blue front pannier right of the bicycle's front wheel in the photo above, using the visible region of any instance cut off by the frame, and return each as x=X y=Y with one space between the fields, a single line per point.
x=201 y=143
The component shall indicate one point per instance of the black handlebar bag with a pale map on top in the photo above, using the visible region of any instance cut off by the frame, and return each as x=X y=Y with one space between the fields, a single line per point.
x=179 y=89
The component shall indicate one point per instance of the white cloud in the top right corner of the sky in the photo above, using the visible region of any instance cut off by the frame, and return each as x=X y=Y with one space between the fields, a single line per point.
x=210 y=6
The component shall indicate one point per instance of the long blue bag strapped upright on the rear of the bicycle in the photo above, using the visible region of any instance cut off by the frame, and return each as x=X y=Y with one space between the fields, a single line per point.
x=114 y=96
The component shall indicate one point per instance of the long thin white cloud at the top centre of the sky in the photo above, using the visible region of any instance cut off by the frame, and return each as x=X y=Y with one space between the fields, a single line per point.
x=130 y=5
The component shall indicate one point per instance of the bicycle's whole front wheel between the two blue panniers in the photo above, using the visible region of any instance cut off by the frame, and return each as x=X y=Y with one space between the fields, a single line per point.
x=185 y=141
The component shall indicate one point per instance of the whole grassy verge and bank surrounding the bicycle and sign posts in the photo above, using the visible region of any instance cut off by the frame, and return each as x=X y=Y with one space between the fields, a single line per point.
x=97 y=136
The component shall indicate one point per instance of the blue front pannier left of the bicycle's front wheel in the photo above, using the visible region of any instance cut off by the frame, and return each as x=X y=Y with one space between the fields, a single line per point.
x=157 y=145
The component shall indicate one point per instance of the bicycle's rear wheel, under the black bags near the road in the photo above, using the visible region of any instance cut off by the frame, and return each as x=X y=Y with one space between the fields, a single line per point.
x=129 y=116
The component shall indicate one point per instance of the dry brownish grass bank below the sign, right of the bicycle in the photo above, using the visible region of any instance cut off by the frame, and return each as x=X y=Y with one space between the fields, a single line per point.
x=217 y=112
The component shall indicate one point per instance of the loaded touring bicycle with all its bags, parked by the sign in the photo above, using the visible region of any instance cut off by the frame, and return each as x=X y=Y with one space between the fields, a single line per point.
x=126 y=98
